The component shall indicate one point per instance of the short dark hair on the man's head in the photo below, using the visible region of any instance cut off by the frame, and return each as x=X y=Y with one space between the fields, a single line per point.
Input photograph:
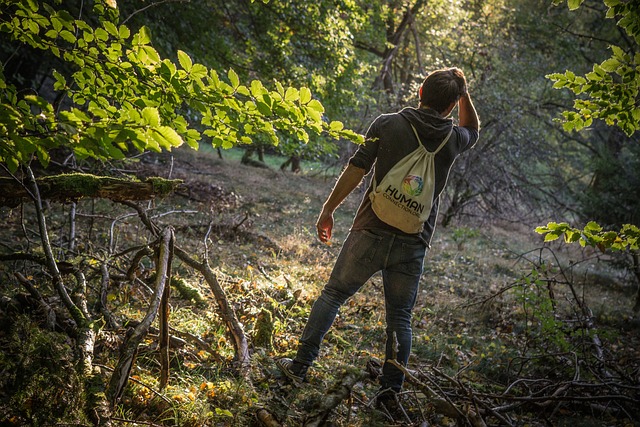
x=443 y=87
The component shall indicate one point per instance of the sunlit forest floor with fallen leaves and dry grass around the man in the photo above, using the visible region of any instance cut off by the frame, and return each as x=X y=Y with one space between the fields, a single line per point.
x=485 y=326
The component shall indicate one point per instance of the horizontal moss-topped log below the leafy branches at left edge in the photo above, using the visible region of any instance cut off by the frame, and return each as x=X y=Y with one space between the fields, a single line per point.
x=75 y=186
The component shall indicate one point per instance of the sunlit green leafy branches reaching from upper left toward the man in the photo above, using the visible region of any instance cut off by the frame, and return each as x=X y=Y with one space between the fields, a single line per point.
x=124 y=95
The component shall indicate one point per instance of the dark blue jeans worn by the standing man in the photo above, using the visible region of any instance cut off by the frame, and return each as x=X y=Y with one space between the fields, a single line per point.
x=364 y=253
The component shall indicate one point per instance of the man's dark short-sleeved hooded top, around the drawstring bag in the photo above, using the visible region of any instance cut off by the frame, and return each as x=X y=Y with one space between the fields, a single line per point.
x=390 y=138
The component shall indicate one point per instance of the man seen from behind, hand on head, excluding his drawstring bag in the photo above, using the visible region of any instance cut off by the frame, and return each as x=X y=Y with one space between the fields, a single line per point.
x=372 y=245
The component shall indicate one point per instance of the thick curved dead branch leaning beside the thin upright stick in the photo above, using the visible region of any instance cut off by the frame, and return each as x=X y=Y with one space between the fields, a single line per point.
x=136 y=335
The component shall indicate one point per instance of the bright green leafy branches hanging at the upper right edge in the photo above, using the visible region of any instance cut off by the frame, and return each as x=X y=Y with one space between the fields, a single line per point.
x=610 y=91
